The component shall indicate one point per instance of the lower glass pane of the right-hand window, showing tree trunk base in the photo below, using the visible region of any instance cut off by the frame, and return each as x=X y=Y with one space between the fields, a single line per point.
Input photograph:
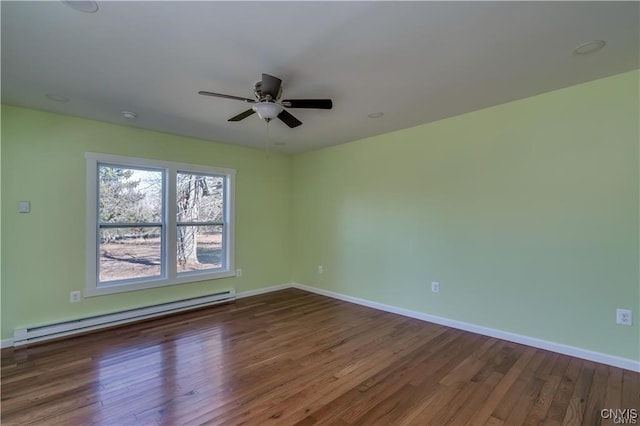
x=199 y=248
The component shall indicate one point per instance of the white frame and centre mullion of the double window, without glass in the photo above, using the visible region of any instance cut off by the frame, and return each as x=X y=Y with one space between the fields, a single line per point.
x=169 y=253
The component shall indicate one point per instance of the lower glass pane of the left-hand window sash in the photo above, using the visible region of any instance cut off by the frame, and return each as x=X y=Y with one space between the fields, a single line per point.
x=127 y=253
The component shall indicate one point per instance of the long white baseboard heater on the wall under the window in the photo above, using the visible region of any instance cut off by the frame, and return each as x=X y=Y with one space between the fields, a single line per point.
x=25 y=335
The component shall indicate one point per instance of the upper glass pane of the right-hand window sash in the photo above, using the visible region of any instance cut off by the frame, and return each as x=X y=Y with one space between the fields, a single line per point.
x=199 y=198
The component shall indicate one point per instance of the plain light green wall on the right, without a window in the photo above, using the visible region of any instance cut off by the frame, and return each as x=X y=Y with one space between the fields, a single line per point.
x=526 y=213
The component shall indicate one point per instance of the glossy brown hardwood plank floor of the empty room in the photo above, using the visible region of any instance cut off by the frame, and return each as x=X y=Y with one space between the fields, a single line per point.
x=292 y=357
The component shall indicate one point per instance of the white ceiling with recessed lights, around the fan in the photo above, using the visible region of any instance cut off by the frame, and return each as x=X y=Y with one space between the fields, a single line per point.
x=415 y=61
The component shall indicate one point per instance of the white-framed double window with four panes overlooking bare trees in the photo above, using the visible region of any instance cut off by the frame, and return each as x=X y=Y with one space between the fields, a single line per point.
x=154 y=223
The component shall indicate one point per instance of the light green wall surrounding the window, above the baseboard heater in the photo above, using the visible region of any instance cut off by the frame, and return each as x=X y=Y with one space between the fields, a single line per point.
x=43 y=252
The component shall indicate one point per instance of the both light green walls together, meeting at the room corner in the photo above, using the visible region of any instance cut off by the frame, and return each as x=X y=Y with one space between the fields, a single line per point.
x=526 y=213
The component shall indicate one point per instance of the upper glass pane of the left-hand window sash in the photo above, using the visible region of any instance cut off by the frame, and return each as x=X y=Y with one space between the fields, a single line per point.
x=129 y=195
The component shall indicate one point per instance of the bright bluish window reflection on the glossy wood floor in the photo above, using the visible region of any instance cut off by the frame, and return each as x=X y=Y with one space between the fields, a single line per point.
x=150 y=381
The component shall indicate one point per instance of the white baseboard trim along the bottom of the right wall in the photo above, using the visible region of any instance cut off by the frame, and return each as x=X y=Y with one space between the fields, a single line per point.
x=628 y=364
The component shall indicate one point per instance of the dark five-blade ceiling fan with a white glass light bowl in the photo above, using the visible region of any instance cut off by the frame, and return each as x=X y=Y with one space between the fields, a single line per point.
x=268 y=104
